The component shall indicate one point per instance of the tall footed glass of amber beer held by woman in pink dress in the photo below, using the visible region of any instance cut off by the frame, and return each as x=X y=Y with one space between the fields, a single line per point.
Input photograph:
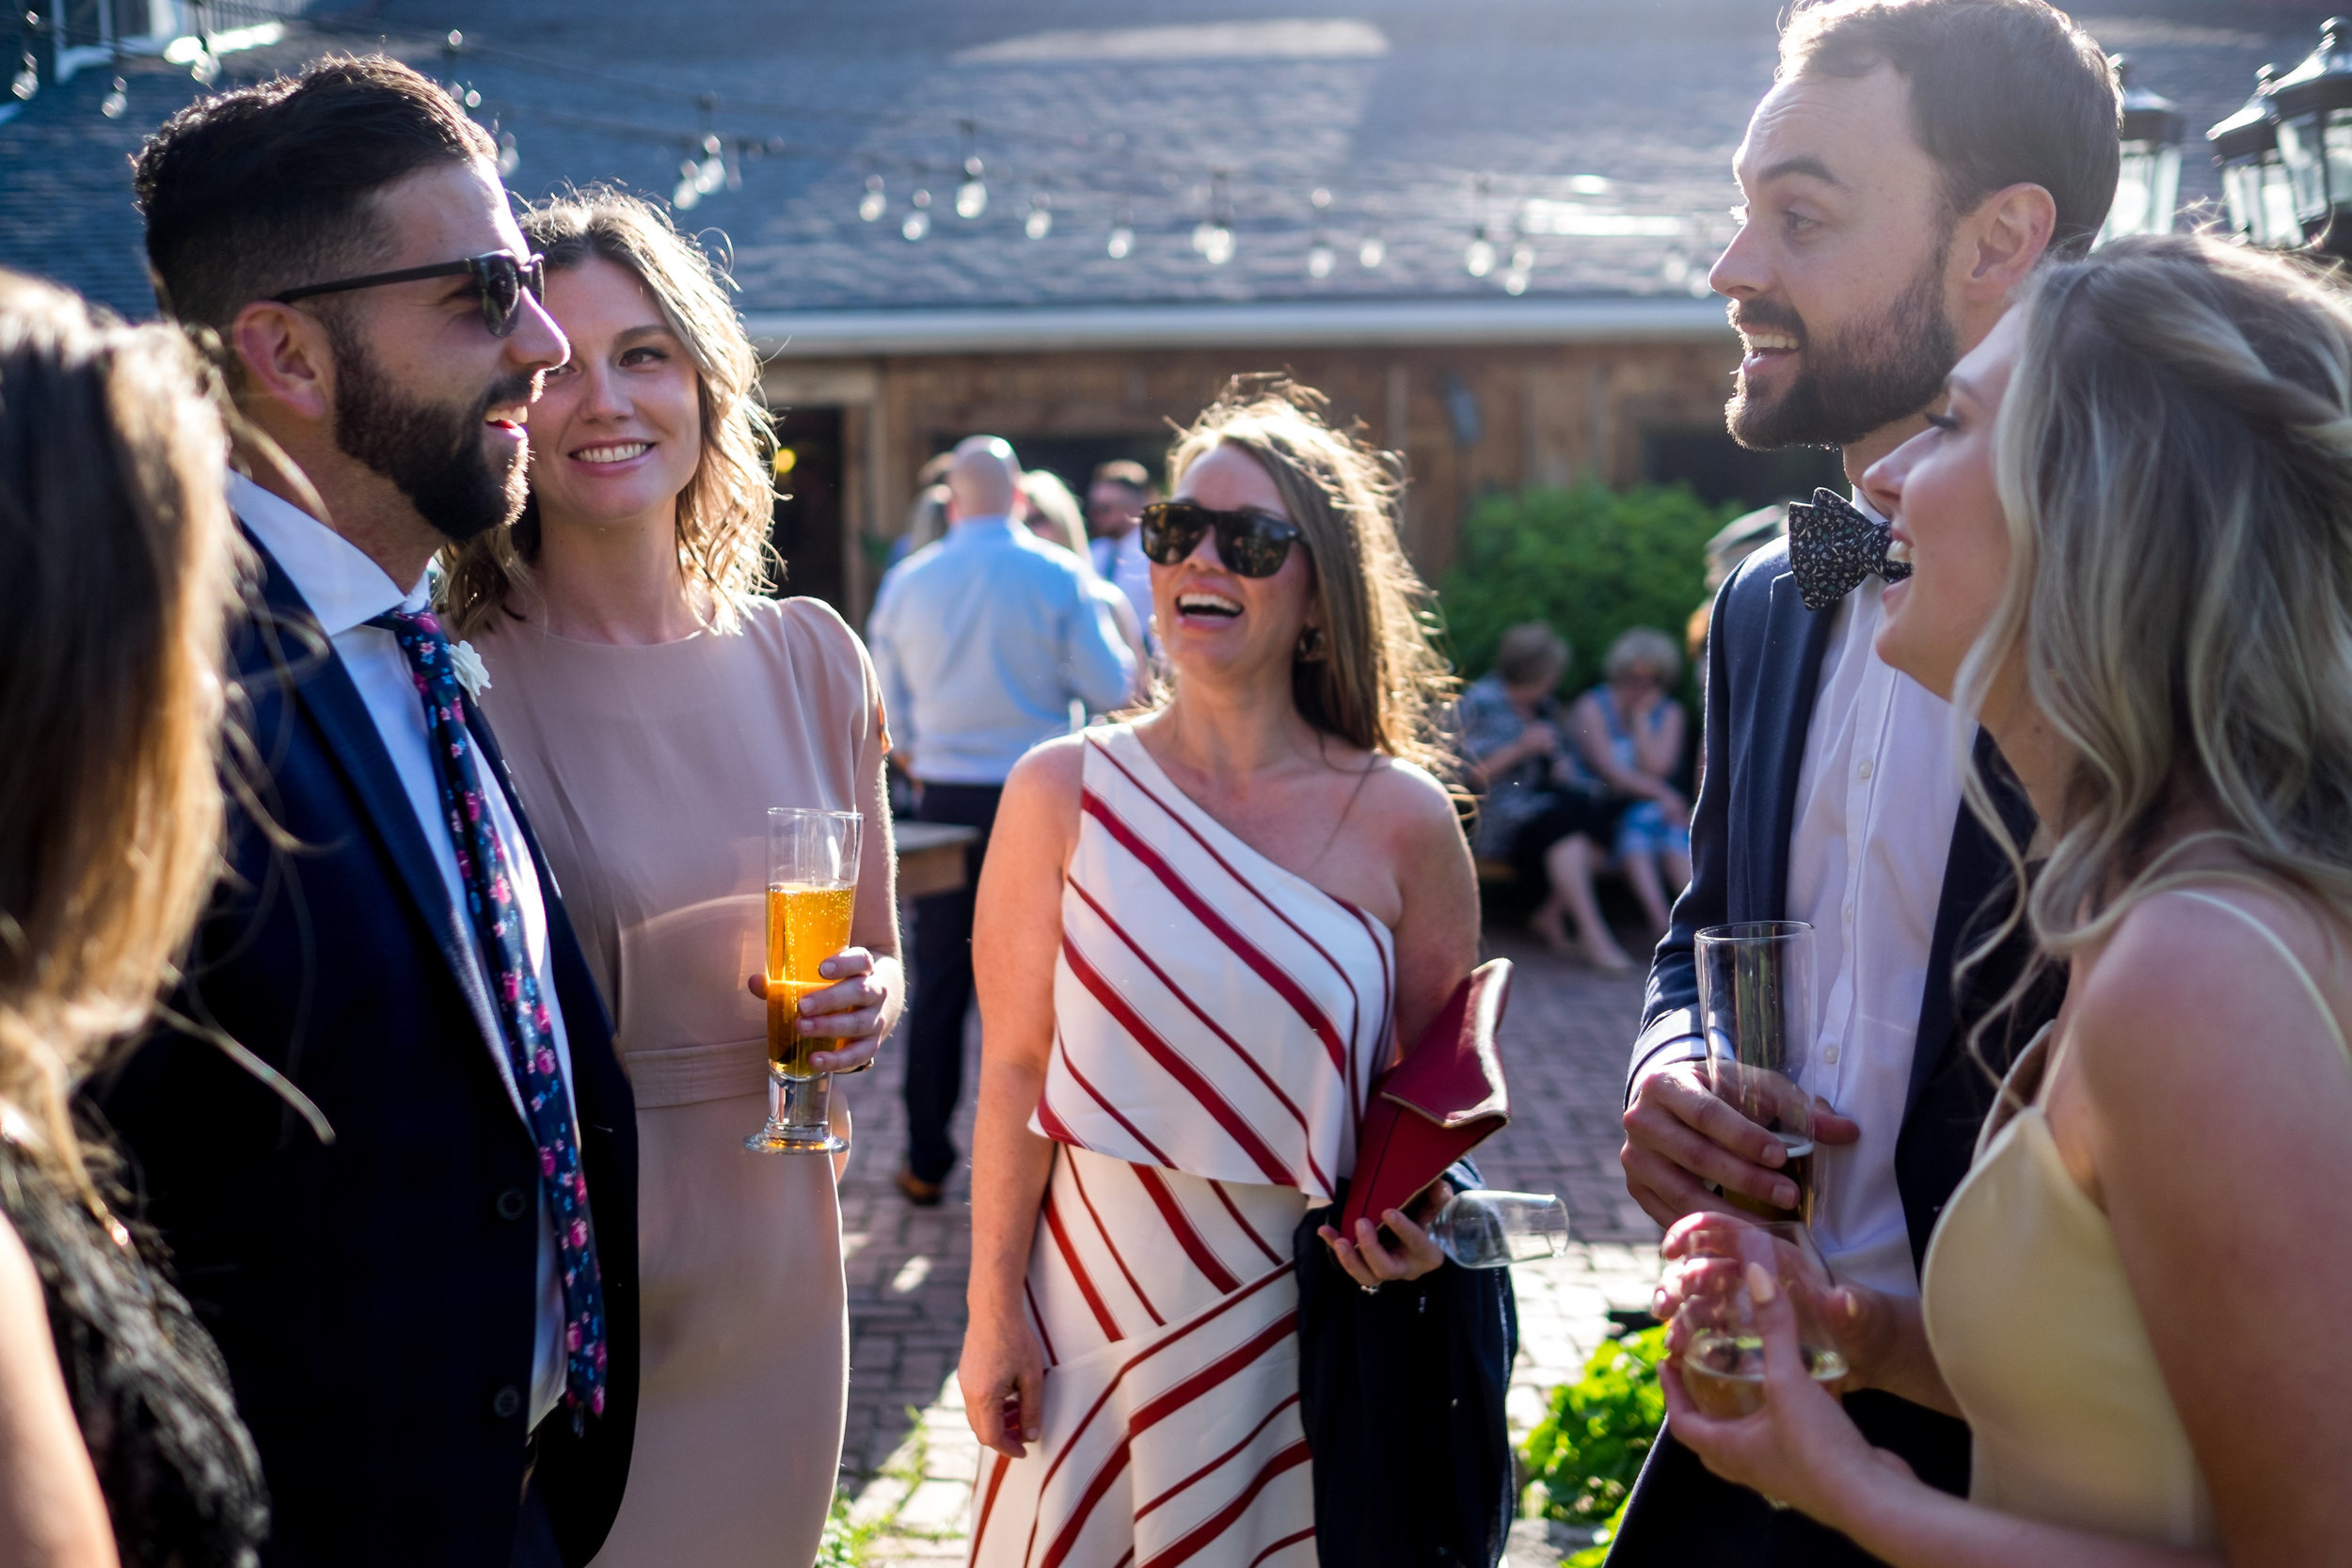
x=813 y=890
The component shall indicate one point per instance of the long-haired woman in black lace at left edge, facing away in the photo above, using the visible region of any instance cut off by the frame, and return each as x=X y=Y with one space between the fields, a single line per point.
x=119 y=1433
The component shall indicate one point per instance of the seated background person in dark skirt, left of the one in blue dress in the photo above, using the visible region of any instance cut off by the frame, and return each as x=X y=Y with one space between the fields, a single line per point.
x=1546 y=824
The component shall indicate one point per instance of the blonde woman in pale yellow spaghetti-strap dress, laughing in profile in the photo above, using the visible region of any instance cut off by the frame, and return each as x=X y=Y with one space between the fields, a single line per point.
x=2132 y=565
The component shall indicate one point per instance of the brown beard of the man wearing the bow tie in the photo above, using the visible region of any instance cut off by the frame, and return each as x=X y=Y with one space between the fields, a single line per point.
x=1866 y=377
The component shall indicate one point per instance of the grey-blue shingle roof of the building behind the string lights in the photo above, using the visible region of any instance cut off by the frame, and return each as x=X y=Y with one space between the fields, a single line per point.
x=1603 y=130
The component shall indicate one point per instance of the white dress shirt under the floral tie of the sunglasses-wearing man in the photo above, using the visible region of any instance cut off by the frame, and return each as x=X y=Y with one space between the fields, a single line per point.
x=345 y=589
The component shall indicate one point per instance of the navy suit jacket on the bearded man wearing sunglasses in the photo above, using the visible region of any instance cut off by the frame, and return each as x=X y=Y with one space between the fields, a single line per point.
x=375 y=1296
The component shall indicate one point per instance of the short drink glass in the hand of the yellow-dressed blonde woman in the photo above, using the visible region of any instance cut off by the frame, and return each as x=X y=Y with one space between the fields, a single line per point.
x=1716 y=1339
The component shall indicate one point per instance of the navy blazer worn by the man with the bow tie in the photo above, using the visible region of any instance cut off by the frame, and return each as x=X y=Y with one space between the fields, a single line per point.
x=1765 y=652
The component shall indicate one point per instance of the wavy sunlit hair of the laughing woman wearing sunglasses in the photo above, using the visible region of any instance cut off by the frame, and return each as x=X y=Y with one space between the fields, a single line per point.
x=1379 y=681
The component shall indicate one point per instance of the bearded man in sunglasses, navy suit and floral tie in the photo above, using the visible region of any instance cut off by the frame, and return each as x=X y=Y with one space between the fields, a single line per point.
x=387 y=1137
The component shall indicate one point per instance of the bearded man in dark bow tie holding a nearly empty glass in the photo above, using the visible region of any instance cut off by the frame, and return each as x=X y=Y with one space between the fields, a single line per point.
x=1909 y=170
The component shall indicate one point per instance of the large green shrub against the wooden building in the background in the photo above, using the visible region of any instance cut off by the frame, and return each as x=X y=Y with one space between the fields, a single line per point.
x=1589 y=561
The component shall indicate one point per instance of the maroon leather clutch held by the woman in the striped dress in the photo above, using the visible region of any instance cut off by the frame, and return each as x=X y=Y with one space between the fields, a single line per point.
x=1438 y=1104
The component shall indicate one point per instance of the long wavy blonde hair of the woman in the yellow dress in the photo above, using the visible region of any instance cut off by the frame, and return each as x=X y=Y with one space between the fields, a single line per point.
x=2174 y=457
